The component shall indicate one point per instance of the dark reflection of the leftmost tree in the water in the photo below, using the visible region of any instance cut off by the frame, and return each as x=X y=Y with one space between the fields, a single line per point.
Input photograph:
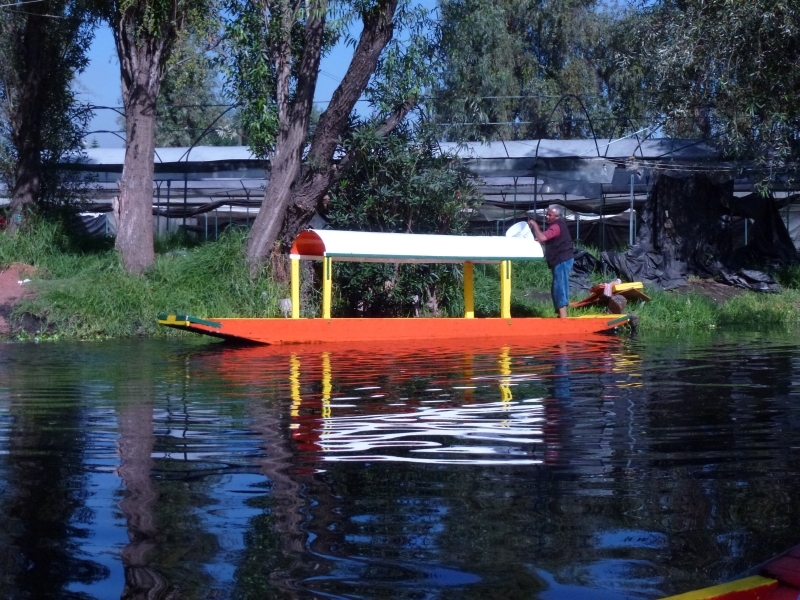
x=42 y=484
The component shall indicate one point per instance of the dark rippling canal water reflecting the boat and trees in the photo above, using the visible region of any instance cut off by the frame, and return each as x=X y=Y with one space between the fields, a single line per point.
x=609 y=468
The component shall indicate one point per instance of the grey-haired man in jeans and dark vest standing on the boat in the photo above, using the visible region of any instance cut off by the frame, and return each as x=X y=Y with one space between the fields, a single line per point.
x=559 y=254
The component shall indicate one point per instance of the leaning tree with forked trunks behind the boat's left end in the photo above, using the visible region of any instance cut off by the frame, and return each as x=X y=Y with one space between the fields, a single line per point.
x=294 y=36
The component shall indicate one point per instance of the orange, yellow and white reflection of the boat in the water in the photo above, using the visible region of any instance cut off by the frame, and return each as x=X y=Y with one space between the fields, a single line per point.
x=399 y=404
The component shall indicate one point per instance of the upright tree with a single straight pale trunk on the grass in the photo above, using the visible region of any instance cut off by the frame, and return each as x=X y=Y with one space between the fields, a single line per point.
x=145 y=32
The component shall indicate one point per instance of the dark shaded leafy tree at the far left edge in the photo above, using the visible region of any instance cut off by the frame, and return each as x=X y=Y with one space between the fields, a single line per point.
x=41 y=49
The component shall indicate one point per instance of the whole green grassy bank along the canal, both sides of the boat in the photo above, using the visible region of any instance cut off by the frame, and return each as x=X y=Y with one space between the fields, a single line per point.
x=82 y=291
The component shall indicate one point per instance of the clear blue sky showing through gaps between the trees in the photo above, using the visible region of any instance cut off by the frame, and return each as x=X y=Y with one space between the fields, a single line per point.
x=100 y=85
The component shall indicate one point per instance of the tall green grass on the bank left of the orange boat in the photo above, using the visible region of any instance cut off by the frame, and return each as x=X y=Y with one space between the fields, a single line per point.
x=86 y=293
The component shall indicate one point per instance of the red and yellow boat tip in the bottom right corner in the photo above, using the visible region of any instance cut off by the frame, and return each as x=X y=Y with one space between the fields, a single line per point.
x=777 y=579
